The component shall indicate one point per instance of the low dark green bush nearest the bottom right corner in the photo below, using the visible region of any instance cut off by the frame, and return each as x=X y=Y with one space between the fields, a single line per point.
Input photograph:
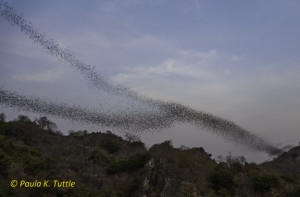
x=264 y=183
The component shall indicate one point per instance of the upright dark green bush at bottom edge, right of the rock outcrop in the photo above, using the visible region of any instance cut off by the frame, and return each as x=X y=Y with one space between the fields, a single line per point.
x=222 y=180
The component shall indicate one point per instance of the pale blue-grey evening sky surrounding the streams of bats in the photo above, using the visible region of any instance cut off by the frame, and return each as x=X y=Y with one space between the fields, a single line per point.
x=238 y=60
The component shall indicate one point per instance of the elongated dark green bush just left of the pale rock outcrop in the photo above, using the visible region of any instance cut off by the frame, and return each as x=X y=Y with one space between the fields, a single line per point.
x=134 y=162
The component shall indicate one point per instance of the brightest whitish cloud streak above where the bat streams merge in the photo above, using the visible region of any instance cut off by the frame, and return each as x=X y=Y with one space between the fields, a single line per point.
x=195 y=65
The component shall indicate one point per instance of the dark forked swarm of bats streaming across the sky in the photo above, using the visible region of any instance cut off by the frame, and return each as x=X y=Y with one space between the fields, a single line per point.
x=166 y=113
